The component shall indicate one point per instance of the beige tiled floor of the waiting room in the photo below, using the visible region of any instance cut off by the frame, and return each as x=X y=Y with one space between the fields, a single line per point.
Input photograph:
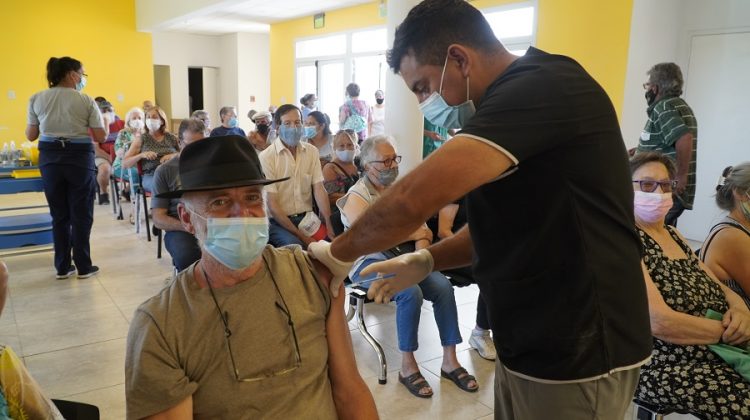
x=71 y=334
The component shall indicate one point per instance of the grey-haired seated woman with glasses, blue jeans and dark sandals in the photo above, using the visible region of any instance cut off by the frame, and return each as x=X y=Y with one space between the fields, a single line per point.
x=380 y=169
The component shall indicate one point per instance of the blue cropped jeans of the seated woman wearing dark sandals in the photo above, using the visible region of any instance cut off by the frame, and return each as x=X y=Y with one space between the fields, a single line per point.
x=437 y=289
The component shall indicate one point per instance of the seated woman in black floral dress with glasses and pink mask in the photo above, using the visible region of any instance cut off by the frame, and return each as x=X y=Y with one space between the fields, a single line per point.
x=683 y=373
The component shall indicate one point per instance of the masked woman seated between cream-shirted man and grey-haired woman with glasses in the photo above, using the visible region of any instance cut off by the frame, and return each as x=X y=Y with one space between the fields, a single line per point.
x=341 y=173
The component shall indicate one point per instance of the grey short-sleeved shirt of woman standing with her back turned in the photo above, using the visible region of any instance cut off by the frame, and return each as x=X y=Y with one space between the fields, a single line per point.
x=64 y=112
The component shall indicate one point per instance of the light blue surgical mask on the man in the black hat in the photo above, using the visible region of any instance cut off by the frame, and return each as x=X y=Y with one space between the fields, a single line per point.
x=235 y=241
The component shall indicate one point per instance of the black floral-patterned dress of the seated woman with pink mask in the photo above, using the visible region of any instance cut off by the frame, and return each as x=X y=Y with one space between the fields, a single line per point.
x=689 y=377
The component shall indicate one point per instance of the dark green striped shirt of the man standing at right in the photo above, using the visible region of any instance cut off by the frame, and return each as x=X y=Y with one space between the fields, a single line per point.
x=668 y=120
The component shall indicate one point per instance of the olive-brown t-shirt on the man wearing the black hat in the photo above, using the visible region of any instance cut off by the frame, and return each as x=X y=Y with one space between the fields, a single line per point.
x=177 y=347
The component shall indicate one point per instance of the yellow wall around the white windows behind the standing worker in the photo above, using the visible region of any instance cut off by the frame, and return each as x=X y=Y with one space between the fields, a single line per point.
x=594 y=32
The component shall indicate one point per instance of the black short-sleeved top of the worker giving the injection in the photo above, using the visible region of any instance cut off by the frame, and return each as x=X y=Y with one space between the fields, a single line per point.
x=557 y=257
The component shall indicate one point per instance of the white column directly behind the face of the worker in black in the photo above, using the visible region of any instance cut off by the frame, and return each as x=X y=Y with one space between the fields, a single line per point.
x=403 y=119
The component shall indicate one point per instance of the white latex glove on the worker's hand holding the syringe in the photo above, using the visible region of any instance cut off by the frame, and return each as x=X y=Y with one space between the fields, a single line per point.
x=409 y=269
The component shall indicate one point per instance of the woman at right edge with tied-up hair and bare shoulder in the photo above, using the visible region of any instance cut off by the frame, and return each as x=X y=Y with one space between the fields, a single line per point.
x=726 y=251
